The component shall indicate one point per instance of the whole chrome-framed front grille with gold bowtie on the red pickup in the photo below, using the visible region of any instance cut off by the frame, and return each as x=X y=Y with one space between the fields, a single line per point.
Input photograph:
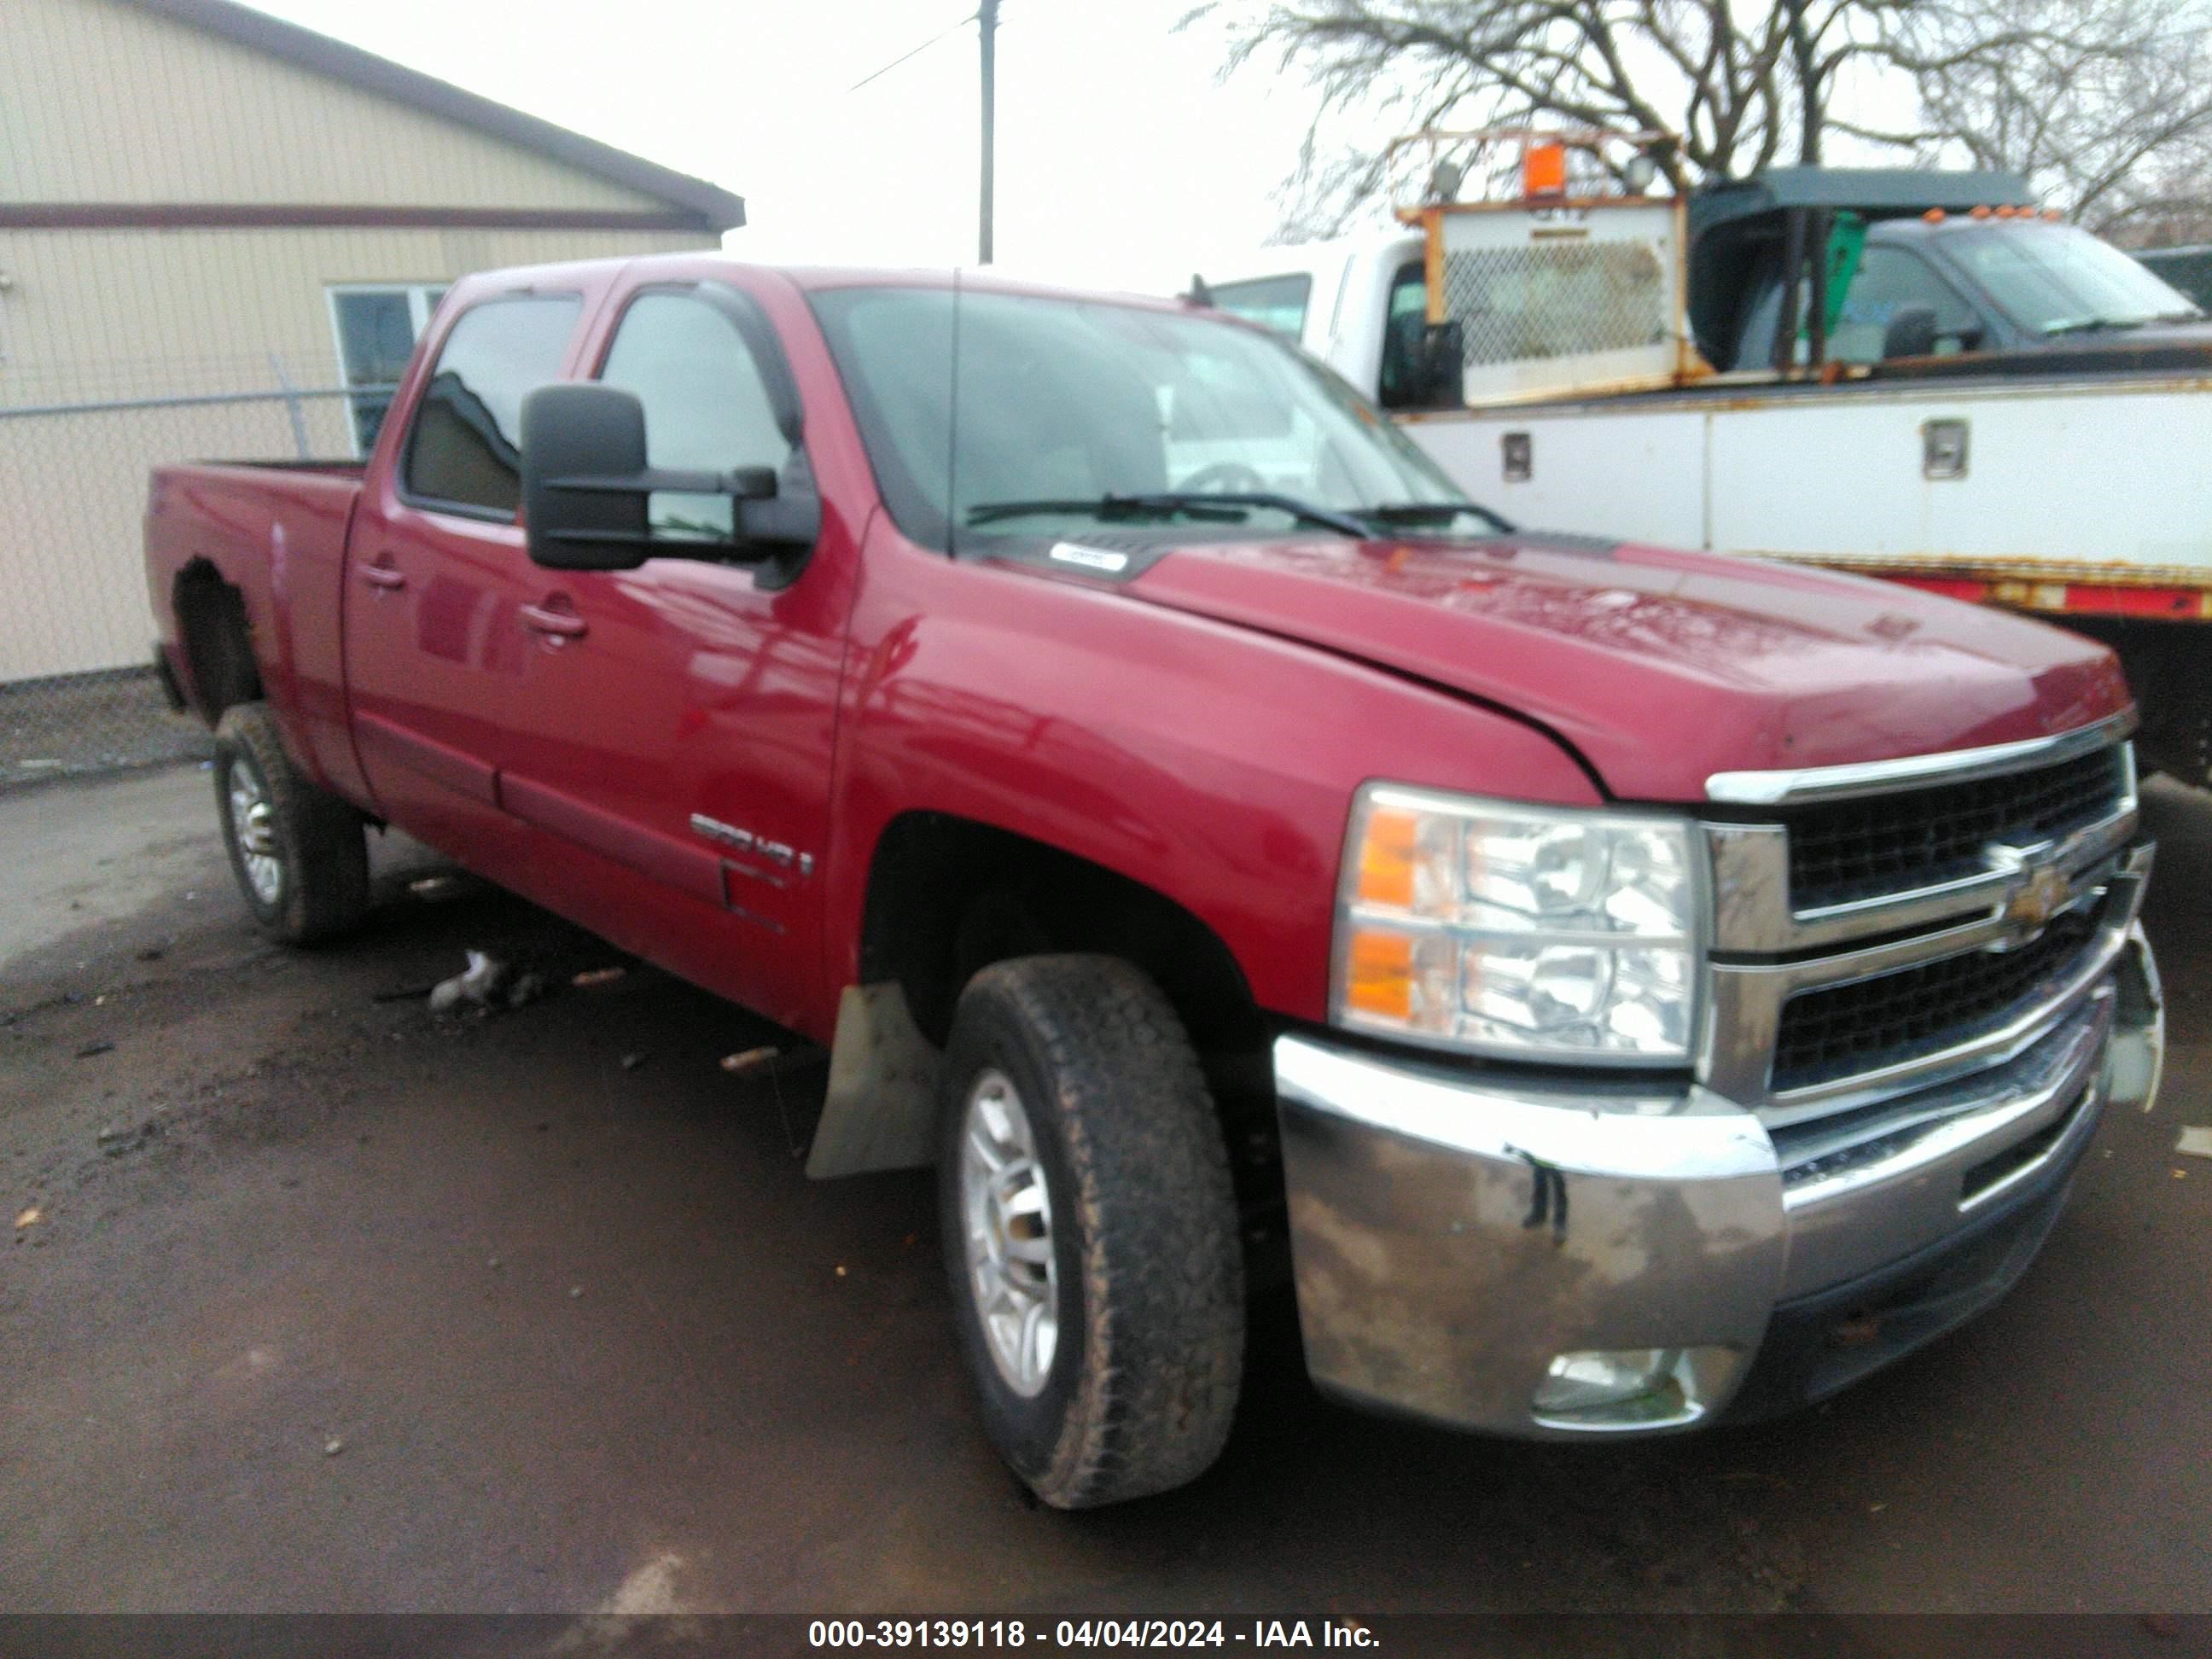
x=1990 y=895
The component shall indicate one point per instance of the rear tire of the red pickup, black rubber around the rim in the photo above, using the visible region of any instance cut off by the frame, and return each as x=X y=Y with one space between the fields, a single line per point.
x=317 y=839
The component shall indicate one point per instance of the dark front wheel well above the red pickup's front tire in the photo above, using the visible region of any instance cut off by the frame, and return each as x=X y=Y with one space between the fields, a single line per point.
x=948 y=897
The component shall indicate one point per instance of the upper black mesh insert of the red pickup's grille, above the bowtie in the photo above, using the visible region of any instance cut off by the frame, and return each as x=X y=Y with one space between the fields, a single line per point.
x=1853 y=851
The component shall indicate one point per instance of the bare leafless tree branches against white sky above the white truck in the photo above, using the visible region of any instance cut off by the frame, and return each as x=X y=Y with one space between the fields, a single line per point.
x=2098 y=101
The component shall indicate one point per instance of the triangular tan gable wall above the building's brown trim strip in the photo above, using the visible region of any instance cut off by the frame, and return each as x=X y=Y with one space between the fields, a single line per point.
x=107 y=103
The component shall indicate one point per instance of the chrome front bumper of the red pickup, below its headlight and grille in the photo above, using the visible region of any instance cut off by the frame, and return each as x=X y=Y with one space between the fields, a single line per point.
x=1457 y=1231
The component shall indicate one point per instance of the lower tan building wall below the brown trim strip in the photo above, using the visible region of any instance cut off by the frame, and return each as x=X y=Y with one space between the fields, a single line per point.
x=125 y=315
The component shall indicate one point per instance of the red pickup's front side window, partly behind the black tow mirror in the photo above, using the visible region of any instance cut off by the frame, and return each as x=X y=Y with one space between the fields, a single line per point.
x=707 y=404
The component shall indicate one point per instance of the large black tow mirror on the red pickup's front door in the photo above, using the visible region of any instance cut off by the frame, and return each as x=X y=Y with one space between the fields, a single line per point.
x=587 y=488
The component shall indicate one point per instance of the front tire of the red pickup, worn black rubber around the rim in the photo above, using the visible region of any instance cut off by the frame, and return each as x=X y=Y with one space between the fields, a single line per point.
x=1142 y=1388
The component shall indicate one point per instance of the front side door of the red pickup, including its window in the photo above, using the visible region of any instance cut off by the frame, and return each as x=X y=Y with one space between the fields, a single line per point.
x=678 y=742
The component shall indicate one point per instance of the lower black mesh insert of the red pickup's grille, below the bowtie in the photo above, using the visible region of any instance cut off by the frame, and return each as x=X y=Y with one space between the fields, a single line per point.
x=1892 y=1019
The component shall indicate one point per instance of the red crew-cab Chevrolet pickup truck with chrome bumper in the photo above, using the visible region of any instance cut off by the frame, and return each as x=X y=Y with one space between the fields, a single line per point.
x=1647 y=988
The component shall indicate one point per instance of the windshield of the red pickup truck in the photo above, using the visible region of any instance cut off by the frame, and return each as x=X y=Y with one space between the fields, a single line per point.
x=1072 y=413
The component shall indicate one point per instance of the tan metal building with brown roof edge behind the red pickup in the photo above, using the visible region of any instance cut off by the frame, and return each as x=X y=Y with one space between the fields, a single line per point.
x=216 y=229
